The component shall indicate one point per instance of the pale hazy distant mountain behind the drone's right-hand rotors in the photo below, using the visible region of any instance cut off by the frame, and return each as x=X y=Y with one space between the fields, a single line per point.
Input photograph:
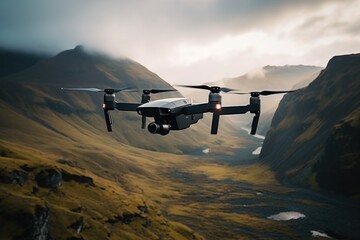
x=266 y=78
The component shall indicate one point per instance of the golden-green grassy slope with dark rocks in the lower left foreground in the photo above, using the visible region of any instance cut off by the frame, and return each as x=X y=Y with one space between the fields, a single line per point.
x=97 y=205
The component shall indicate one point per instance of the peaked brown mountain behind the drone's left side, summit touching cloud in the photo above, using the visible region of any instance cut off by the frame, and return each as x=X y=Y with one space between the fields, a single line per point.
x=34 y=95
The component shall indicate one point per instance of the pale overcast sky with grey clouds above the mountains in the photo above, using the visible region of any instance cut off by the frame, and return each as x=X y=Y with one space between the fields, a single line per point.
x=188 y=41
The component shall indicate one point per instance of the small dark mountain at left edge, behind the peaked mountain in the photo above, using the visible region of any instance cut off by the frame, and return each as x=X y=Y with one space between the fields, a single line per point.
x=12 y=61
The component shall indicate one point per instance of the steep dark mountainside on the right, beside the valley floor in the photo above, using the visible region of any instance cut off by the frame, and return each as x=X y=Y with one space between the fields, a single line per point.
x=314 y=137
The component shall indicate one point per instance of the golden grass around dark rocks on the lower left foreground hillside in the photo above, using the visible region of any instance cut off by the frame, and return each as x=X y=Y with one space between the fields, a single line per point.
x=104 y=201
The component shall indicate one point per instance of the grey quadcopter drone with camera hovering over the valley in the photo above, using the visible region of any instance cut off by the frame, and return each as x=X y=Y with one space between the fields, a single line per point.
x=172 y=114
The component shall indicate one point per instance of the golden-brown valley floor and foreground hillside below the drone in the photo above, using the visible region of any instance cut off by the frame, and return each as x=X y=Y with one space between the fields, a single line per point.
x=185 y=197
